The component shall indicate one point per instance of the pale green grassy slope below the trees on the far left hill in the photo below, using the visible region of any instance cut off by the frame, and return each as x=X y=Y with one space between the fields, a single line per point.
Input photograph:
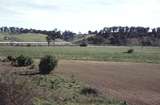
x=29 y=37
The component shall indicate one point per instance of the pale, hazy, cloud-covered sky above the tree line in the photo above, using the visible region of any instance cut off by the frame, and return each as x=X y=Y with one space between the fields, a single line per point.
x=79 y=15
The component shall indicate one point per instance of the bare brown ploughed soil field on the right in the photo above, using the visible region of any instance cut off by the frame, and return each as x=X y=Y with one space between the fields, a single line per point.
x=138 y=84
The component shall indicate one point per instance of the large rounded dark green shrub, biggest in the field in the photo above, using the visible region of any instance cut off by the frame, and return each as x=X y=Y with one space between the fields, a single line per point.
x=47 y=64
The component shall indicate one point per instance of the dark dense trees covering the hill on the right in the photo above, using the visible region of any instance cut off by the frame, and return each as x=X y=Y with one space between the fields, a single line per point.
x=143 y=36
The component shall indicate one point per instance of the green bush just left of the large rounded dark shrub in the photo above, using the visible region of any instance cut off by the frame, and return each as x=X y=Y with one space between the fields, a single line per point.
x=23 y=60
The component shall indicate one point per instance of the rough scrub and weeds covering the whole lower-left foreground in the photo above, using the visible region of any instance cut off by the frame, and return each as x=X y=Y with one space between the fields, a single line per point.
x=47 y=90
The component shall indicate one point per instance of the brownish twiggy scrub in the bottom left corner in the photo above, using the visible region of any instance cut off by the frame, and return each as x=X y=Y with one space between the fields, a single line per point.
x=13 y=92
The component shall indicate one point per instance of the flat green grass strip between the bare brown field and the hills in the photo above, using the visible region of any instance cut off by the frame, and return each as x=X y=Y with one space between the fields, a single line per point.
x=110 y=53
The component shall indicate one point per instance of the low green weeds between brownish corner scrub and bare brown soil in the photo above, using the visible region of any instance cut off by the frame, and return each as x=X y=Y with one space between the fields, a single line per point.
x=66 y=91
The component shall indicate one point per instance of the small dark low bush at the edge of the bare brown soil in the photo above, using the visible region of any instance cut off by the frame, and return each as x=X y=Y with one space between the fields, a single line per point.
x=89 y=91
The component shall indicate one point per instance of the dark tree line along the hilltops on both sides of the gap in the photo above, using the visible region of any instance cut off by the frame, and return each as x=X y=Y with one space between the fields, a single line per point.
x=116 y=35
